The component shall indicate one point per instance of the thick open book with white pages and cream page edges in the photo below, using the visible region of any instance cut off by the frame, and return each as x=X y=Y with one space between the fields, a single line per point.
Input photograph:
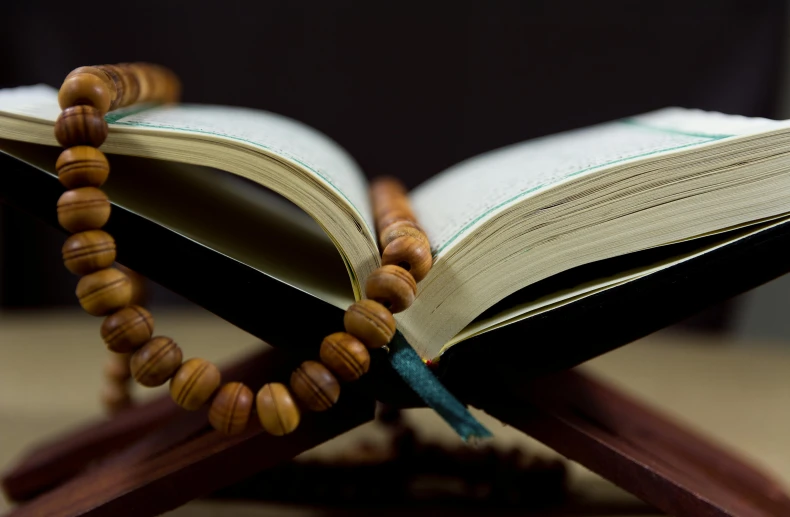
x=286 y=200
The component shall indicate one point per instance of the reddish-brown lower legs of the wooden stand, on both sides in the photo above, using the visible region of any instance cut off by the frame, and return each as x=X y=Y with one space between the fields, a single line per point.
x=156 y=457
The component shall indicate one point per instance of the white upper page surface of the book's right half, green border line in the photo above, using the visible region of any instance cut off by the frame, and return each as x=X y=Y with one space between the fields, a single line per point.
x=453 y=203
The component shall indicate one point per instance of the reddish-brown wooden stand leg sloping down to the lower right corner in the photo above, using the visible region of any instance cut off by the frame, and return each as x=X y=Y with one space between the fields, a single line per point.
x=667 y=466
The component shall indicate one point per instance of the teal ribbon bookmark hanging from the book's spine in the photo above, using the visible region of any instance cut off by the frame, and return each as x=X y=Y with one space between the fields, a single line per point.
x=410 y=367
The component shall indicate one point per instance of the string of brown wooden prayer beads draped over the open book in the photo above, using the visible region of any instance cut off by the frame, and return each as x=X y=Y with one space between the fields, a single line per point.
x=89 y=93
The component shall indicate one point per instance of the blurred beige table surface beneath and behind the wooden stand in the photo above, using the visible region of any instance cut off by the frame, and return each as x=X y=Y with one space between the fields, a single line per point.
x=736 y=392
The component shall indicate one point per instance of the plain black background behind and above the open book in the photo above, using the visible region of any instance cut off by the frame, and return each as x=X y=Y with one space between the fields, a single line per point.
x=408 y=88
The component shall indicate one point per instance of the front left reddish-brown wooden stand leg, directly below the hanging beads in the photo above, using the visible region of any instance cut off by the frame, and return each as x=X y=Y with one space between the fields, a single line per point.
x=172 y=465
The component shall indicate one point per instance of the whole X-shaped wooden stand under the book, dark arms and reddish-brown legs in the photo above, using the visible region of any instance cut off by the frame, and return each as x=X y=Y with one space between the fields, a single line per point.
x=155 y=457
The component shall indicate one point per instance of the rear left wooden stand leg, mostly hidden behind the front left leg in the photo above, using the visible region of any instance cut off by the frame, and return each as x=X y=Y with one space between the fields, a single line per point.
x=53 y=463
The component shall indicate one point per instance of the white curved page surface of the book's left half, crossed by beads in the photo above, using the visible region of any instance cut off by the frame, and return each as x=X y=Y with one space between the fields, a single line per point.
x=280 y=135
